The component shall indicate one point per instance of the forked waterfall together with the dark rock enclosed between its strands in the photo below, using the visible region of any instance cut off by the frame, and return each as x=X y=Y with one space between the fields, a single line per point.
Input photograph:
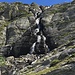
x=40 y=41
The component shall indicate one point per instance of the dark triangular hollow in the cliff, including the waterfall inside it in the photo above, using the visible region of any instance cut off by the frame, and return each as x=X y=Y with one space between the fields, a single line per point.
x=35 y=40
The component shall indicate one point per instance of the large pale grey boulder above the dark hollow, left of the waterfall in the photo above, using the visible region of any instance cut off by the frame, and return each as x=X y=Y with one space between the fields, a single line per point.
x=16 y=29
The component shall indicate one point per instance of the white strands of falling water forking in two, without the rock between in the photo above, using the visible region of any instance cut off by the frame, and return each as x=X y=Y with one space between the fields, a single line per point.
x=39 y=37
